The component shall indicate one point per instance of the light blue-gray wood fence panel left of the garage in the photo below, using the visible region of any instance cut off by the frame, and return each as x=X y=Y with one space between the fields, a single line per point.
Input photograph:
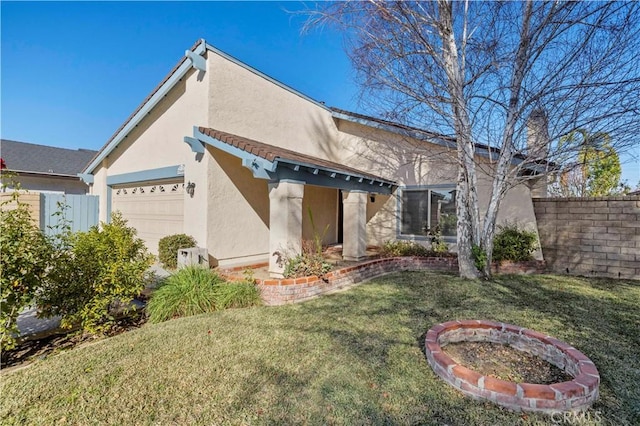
x=81 y=212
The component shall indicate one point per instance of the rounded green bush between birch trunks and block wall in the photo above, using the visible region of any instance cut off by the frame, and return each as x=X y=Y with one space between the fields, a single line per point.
x=513 y=243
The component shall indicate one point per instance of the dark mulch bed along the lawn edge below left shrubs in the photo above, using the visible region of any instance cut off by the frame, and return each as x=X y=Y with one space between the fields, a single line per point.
x=33 y=350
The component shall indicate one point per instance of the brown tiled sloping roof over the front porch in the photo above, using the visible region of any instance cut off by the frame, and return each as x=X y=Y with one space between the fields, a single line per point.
x=273 y=153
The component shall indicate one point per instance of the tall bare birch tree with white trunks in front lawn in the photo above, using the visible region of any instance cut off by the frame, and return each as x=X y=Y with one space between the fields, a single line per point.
x=479 y=70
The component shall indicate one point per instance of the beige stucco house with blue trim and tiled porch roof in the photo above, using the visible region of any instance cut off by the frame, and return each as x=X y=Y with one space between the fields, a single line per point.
x=238 y=160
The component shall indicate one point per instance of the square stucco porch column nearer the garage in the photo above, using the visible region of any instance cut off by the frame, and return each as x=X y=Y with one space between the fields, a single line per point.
x=285 y=222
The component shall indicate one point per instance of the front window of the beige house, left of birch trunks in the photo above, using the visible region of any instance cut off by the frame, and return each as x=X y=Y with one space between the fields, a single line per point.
x=425 y=208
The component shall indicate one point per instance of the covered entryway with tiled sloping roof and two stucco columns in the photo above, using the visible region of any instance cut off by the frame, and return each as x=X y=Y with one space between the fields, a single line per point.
x=294 y=177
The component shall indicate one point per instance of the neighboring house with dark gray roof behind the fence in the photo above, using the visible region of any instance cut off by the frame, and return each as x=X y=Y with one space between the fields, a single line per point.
x=42 y=168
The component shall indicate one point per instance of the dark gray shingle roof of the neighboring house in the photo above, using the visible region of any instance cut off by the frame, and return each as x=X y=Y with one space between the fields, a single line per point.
x=42 y=159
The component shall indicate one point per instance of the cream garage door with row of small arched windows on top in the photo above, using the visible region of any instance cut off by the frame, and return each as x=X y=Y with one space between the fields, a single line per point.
x=155 y=209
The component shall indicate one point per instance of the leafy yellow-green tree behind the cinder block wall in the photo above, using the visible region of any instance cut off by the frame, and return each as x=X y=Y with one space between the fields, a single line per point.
x=594 y=172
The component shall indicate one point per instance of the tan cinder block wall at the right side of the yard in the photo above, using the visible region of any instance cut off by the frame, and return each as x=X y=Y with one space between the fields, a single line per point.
x=591 y=236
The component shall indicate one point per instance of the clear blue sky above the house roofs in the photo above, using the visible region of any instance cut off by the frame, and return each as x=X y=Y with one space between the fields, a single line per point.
x=72 y=72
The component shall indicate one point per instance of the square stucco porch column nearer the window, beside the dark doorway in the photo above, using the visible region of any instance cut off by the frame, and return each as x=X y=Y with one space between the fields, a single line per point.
x=354 y=246
